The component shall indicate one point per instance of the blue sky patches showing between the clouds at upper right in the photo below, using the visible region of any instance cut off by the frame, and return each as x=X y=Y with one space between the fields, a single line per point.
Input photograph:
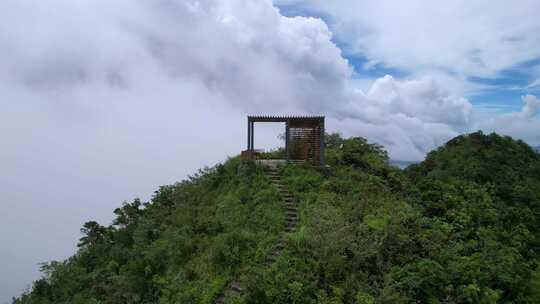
x=501 y=91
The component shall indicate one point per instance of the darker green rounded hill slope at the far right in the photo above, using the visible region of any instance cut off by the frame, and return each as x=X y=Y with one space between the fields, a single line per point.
x=486 y=189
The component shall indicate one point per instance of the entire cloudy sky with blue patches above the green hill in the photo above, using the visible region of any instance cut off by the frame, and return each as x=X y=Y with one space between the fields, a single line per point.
x=102 y=101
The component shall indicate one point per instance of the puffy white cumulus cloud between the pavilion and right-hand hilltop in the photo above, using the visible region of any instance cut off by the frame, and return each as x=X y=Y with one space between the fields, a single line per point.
x=409 y=117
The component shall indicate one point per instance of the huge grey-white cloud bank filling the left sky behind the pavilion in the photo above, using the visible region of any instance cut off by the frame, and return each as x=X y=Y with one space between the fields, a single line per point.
x=103 y=101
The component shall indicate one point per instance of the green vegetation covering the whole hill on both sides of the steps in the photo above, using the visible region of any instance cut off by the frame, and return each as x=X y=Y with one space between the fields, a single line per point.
x=460 y=227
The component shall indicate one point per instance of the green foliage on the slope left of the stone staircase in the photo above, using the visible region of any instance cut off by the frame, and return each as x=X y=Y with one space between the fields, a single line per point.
x=182 y=247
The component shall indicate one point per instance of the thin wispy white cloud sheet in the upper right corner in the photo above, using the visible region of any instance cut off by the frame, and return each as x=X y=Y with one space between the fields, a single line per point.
x=461 y=39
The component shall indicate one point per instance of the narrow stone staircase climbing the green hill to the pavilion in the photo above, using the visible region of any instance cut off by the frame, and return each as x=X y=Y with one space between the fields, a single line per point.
x=291 y=222
